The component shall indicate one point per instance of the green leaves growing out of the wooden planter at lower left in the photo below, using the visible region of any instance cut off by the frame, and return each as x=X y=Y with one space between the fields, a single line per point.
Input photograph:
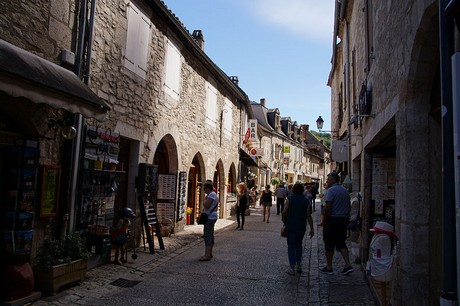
x=54 y=252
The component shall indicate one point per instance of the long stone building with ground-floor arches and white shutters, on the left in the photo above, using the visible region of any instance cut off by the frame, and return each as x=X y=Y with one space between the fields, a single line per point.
x=140 y=104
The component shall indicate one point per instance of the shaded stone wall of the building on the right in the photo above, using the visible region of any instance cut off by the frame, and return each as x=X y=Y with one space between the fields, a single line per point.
x=401 y=73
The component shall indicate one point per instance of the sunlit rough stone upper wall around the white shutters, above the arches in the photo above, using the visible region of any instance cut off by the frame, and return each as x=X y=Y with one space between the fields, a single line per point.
x=141 y=108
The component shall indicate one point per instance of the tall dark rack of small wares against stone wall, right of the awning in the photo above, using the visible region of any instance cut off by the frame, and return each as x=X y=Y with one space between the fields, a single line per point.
x=99 y=185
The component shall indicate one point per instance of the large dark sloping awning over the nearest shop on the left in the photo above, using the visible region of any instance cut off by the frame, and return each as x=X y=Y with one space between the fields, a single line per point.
x=23 y=74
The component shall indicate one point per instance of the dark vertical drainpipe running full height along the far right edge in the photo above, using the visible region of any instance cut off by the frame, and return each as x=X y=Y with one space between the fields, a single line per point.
x=449 y=275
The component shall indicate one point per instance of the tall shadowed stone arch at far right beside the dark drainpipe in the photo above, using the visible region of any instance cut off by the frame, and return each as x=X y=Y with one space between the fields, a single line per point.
x=418 y=171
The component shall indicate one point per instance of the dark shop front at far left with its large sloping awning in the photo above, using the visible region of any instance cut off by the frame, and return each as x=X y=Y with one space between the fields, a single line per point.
x=41 y=106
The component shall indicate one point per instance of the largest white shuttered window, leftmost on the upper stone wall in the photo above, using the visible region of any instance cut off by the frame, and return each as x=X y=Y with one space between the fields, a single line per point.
x=137 y=41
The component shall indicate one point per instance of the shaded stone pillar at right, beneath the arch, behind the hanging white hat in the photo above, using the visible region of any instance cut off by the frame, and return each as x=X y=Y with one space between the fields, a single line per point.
x=412 y=196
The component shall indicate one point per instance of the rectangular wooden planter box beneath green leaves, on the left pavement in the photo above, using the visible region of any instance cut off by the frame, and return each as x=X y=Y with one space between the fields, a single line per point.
x=60 y=275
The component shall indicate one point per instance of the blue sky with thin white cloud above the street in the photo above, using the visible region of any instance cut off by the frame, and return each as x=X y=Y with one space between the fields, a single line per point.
x=280 y=49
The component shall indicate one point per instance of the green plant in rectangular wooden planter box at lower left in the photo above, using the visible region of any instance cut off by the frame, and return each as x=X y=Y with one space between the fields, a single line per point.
x=60 y=262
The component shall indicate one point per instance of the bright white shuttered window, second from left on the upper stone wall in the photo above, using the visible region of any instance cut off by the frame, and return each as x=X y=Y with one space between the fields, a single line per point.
x=172 y=71
